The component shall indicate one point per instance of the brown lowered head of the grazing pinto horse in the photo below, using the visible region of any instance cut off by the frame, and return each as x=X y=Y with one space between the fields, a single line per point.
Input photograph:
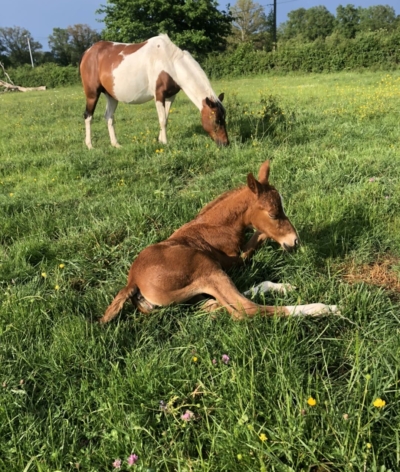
x=213 y=120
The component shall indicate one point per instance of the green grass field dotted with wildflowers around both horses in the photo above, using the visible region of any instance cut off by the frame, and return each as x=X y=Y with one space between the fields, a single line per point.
x=78 y=396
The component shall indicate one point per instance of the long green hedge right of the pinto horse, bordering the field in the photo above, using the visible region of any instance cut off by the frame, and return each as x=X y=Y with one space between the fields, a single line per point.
x=367 y=50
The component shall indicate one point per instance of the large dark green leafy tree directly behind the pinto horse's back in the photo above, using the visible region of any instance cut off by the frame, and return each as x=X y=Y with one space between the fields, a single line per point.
x=196 y=25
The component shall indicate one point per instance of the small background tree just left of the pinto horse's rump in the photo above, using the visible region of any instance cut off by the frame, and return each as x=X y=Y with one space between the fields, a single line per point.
x=68 y=45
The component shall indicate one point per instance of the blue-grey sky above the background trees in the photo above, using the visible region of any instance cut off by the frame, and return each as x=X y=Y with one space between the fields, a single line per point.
x=41 y=16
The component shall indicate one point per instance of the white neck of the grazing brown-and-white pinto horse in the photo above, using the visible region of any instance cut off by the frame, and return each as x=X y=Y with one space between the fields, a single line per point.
x=193 y=81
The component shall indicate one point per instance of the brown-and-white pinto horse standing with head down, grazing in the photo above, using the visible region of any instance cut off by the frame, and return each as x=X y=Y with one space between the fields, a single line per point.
x=136 y=73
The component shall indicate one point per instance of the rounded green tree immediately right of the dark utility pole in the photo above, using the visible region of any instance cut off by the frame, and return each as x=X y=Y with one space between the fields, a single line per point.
x=316 y=22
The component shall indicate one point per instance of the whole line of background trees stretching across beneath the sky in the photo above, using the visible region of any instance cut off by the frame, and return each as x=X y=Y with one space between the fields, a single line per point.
x=198 y=26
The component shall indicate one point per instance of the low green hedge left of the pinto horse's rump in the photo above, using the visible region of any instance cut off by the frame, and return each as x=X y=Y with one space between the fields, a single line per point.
x=51 y=75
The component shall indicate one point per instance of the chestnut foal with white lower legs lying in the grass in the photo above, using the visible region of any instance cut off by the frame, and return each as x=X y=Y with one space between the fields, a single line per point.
x=192 y=262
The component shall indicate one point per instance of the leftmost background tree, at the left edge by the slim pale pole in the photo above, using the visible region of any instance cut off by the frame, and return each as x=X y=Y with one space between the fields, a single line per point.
x=14 y=44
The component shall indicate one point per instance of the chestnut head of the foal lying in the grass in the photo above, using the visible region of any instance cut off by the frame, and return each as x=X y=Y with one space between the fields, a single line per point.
x=267 y=214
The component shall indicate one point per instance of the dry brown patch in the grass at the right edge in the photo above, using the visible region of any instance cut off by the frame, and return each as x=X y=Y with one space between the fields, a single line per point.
x=384 y=273
